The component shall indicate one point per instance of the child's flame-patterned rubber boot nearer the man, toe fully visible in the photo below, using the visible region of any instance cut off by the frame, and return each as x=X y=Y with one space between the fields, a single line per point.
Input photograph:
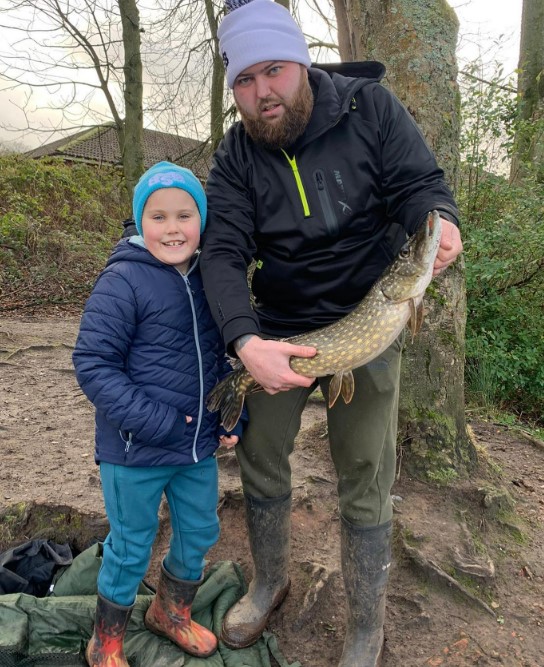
x=169 y=615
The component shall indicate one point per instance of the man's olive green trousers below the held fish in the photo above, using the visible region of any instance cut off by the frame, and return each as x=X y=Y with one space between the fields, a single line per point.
x=362 y=437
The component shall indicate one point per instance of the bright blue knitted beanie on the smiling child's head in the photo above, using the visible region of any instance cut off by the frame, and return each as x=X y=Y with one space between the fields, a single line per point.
x=167 y=175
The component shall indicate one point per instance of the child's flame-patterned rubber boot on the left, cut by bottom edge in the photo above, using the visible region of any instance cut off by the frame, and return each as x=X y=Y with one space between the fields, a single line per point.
x=105 y=649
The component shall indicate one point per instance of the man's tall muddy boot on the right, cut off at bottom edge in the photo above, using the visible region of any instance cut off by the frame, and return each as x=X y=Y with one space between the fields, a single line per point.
x=366 y=558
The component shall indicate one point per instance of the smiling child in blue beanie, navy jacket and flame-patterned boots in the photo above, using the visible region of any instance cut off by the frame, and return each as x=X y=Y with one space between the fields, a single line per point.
x=147 y=354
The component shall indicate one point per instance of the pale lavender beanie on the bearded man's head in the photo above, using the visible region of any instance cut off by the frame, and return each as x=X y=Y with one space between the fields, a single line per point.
x=256 y=31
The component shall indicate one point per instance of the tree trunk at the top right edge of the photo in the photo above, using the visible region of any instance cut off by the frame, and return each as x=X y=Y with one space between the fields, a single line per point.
x=529 y=148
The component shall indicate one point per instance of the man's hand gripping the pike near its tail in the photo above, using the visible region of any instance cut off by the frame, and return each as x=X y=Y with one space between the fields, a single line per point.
x=268 y=362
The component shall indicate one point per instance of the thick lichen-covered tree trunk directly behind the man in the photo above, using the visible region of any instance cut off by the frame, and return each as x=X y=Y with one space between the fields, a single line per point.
x=416 y=40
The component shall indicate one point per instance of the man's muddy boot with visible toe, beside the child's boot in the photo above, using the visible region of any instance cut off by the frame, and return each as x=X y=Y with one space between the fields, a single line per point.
x=269 y=525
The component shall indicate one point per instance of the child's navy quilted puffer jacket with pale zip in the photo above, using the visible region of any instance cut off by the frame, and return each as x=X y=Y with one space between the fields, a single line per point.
x=147 y=354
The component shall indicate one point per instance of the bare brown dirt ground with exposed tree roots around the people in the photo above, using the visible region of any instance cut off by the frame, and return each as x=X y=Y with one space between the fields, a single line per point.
x=468 y=577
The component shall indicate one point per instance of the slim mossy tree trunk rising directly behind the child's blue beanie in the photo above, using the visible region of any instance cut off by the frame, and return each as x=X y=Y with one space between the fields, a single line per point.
x=131 y=134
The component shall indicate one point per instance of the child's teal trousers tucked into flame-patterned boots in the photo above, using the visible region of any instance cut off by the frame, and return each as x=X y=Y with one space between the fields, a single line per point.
x=132 y=498
